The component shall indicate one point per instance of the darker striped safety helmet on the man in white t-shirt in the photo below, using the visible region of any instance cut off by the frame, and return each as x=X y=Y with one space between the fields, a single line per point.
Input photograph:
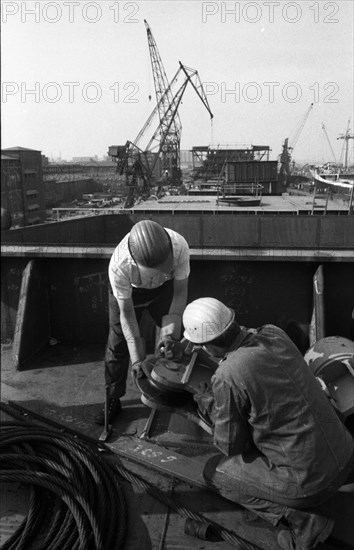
x=149 y=243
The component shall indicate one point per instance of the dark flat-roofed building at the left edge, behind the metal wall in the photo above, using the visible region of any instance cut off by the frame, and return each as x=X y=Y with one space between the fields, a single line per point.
x=22 y=191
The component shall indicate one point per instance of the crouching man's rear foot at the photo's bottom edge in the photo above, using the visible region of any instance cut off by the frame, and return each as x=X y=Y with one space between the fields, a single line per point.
x=306 y=530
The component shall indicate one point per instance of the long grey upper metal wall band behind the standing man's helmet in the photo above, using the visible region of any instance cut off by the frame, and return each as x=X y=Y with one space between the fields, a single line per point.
x=279 y=229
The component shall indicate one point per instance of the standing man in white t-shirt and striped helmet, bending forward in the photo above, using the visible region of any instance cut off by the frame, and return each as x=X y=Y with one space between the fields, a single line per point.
x=149 y=269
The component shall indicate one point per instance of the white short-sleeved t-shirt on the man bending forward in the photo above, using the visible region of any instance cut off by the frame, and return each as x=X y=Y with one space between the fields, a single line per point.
x=124 y=273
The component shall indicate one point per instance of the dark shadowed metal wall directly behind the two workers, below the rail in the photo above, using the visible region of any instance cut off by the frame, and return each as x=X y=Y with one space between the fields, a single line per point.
x=260 y=292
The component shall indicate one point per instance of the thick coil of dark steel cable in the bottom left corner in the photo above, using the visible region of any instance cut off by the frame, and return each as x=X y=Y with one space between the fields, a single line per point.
x=74 y=492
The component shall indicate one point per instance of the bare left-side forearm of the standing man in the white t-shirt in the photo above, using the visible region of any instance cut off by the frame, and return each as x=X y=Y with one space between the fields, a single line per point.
x=131 y=331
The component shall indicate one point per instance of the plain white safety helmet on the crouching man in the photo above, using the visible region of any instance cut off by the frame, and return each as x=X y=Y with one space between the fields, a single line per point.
x=205 y=319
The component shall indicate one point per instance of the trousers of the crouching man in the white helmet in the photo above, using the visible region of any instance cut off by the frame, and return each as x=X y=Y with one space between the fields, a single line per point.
x=244 y=479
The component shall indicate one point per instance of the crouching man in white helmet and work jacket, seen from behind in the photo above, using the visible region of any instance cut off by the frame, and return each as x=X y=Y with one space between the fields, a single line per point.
x=286 y=450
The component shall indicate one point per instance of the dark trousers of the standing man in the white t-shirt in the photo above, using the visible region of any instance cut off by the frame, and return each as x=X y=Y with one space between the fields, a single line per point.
x=157 y=301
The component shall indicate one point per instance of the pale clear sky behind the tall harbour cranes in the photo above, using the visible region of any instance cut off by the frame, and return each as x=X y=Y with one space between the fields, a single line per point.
x=77 y=76
